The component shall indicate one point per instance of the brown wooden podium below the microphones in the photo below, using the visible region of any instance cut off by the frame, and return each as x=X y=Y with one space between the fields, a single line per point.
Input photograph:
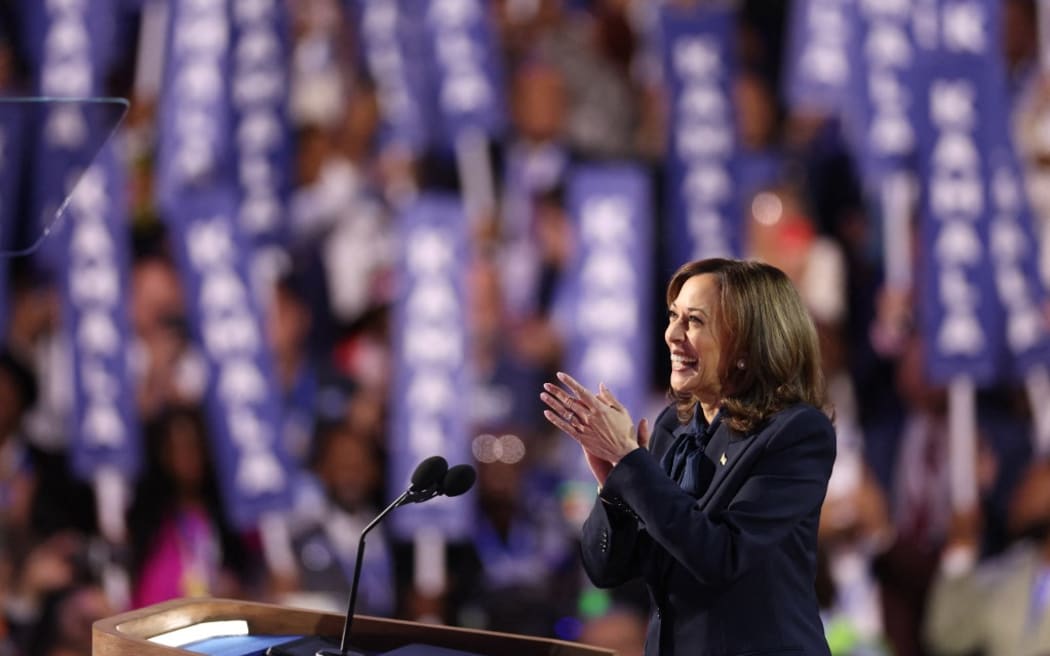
x=130 y=634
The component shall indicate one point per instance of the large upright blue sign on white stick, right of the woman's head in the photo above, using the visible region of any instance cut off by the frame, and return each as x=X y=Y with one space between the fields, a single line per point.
x=958 y=313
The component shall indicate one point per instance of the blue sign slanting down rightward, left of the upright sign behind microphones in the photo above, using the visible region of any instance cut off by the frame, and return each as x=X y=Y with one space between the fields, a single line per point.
x=242 y=400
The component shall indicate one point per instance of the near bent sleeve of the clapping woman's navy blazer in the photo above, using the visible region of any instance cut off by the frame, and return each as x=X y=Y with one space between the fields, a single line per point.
x=785 y=485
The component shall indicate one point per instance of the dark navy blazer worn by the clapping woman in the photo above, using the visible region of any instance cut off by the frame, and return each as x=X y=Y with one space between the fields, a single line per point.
x=733 y=572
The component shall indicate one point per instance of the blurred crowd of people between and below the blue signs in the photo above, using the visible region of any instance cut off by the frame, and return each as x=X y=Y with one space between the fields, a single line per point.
x=901 y=572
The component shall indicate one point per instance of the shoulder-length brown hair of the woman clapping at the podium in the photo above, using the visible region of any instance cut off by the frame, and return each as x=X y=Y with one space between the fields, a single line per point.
x=770 y=355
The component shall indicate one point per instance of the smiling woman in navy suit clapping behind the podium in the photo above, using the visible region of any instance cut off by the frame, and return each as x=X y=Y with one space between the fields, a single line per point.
x=719 y=512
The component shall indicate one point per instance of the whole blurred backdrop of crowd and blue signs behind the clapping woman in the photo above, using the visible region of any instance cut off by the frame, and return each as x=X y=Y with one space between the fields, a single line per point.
x=320 y=241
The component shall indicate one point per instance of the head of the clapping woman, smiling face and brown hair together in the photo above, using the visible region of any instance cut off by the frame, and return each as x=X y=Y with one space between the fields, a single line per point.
x=748 y=324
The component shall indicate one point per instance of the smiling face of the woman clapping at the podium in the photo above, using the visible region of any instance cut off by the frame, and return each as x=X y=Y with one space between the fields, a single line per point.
x=694 y=340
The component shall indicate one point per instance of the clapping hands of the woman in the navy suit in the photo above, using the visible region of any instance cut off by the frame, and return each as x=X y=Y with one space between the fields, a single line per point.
x=600 y=424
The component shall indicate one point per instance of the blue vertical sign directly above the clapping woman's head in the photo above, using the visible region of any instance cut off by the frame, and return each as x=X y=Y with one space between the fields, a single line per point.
x=703 y=202
